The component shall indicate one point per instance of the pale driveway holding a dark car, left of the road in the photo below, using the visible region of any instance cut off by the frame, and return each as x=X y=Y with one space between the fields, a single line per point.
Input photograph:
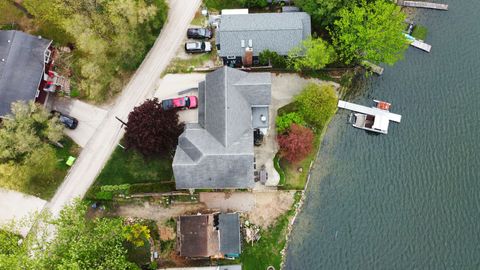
x=89 y=118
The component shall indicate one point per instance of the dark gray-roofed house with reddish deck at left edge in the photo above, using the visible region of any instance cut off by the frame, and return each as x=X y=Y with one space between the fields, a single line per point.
x=26 y=69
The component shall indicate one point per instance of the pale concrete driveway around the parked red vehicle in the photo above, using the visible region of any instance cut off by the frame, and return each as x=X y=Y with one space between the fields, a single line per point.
x=176 y=85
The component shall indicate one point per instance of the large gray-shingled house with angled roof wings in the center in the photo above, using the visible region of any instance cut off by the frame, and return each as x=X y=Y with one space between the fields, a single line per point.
x=217 y=152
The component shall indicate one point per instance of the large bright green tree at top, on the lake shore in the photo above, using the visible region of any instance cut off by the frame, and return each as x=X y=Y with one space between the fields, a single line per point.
x=370 y=32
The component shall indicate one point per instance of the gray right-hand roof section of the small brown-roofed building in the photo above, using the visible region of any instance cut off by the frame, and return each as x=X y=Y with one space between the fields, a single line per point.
x=229 y=226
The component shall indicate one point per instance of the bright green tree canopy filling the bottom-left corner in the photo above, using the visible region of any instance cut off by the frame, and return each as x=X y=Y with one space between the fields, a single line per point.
x=79 y=243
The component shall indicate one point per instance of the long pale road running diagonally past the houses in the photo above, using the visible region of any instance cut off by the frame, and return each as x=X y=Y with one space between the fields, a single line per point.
x=142 y=85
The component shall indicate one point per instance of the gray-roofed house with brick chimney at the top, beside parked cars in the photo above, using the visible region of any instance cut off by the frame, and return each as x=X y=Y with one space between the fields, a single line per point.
x=241 y=38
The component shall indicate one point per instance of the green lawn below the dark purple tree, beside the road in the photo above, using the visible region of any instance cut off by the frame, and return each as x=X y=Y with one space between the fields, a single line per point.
x=130 y=167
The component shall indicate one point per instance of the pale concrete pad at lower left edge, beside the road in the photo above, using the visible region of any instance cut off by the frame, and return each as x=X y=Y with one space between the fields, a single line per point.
x=17 y=206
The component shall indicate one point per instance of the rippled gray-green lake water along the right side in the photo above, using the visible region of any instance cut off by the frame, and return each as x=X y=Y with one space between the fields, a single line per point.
x=409 y=199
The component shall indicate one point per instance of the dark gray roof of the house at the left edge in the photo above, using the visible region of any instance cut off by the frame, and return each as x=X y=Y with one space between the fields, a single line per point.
x=21 y=67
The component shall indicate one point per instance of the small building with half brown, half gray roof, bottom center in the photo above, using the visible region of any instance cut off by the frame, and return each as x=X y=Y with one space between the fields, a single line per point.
x=212 y=235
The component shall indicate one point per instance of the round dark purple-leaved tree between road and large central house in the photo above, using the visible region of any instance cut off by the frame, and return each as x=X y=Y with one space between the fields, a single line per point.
x=152 y=130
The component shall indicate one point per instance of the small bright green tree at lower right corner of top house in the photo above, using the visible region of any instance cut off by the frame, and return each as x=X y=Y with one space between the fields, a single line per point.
x=313 y=53
